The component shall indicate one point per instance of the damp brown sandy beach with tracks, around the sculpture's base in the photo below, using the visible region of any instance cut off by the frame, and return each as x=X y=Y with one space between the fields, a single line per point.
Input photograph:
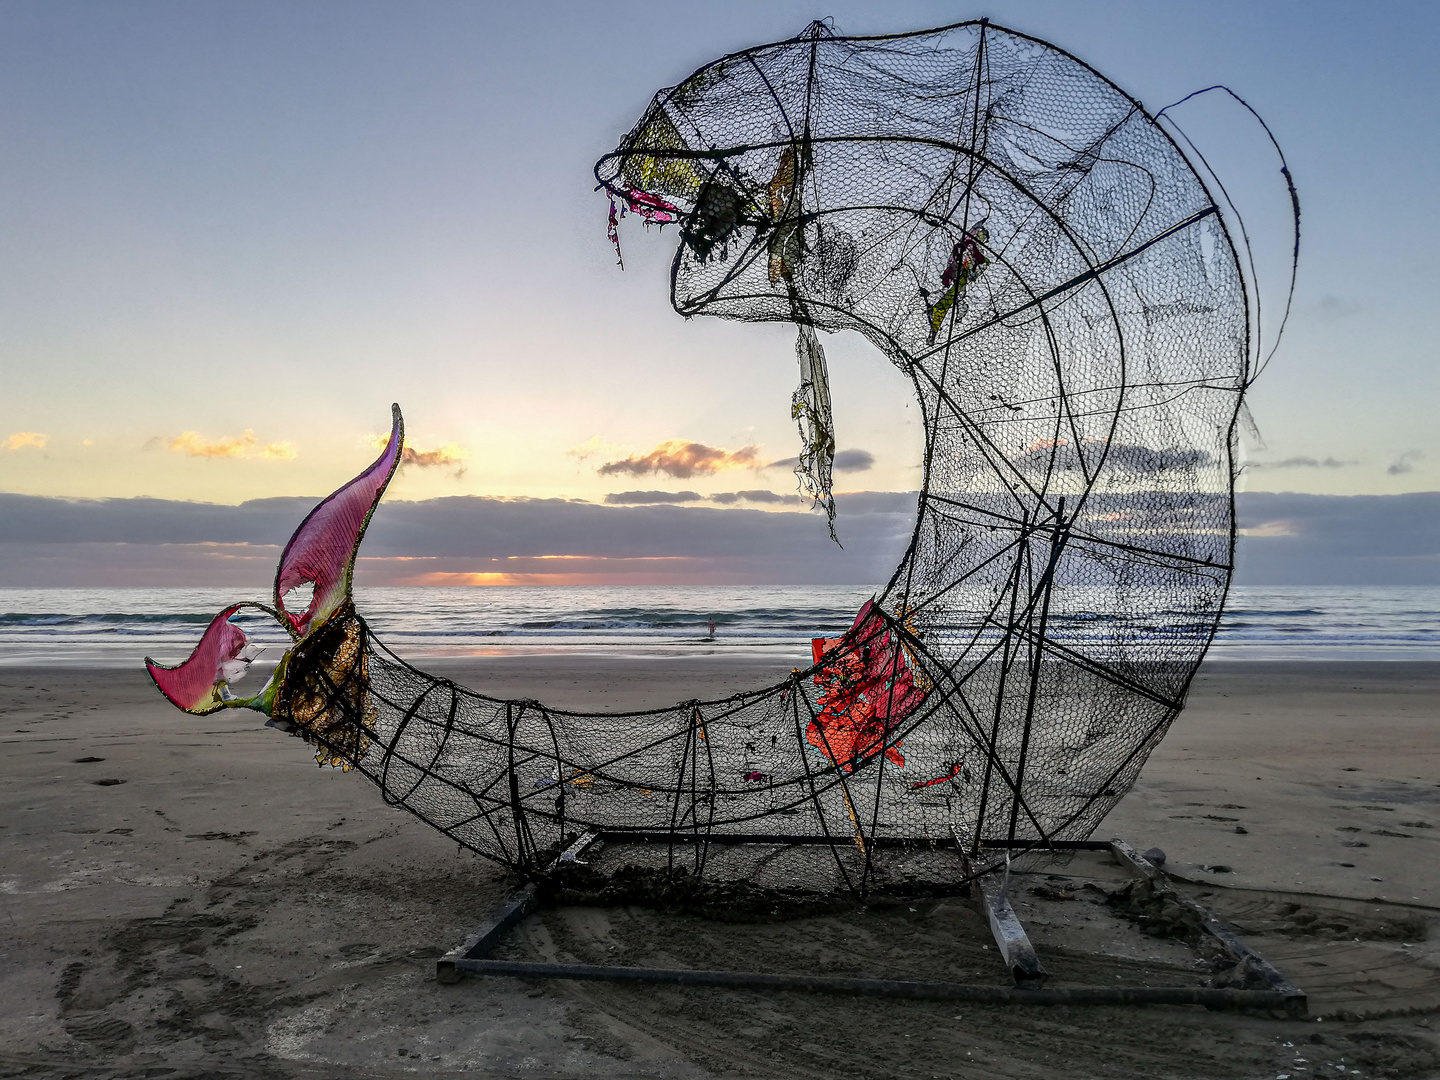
x=195 y=895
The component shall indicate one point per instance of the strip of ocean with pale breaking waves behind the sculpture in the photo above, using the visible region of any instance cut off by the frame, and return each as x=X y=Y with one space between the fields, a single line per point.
x=120 y=627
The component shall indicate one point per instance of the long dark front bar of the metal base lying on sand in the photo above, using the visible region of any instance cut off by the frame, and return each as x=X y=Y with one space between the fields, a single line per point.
x=892 y=989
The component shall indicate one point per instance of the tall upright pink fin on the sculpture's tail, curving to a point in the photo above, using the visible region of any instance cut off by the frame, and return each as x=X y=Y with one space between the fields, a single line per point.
x=323 y=549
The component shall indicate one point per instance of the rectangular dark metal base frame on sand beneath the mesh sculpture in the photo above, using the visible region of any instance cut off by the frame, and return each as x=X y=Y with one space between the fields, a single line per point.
x=1022 y=961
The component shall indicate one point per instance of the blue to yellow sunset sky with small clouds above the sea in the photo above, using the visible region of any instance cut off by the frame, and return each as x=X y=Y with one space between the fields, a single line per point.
x=235 y=233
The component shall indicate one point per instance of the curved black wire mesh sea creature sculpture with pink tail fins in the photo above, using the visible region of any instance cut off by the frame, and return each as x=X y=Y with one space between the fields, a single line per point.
x=1035 y=251
